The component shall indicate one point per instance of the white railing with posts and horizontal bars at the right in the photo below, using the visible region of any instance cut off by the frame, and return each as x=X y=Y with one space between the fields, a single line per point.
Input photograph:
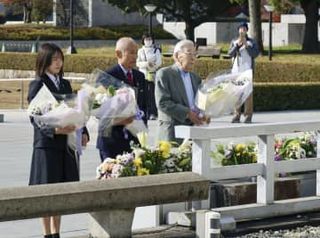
x=265 y=168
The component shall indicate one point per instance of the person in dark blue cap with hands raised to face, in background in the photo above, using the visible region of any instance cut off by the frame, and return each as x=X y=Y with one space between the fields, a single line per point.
x=243 y=51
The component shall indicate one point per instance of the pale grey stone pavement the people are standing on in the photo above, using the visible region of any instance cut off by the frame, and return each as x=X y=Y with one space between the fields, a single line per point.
x=15 y=157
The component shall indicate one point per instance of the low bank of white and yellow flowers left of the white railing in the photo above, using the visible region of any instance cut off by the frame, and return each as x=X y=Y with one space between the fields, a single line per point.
x=164 y=158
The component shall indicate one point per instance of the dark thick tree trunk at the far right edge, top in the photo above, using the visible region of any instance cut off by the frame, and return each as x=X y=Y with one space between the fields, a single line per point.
x=310 y=7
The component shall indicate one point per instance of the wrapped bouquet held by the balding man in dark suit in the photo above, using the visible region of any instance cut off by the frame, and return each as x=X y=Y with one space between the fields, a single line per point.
x=114 y=101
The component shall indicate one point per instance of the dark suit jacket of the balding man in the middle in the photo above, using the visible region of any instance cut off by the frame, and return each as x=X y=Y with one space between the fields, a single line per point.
x=117 y=143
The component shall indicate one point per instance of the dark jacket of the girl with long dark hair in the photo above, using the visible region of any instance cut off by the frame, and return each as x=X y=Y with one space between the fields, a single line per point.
x=44 y=137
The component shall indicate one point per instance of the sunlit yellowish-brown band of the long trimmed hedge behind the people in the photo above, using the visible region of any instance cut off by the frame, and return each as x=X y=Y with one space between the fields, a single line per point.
x=265 y=71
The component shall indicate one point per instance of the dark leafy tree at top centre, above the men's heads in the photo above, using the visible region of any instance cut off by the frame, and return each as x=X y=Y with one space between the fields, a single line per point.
x=192 y=12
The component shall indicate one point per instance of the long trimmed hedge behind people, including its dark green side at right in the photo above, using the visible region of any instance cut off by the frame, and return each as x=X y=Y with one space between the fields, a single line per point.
x=299 y=88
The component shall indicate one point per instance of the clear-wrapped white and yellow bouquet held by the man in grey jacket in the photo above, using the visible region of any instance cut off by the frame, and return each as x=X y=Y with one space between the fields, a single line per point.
x=220 y=95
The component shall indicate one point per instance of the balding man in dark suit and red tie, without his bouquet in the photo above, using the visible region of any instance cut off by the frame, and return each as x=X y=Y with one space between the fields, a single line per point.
x=120 y=138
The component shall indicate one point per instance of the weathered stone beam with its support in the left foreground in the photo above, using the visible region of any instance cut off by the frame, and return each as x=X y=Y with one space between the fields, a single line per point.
x=109 y=202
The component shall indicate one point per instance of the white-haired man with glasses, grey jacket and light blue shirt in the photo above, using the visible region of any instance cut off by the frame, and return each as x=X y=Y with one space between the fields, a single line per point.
x=175 y=90
